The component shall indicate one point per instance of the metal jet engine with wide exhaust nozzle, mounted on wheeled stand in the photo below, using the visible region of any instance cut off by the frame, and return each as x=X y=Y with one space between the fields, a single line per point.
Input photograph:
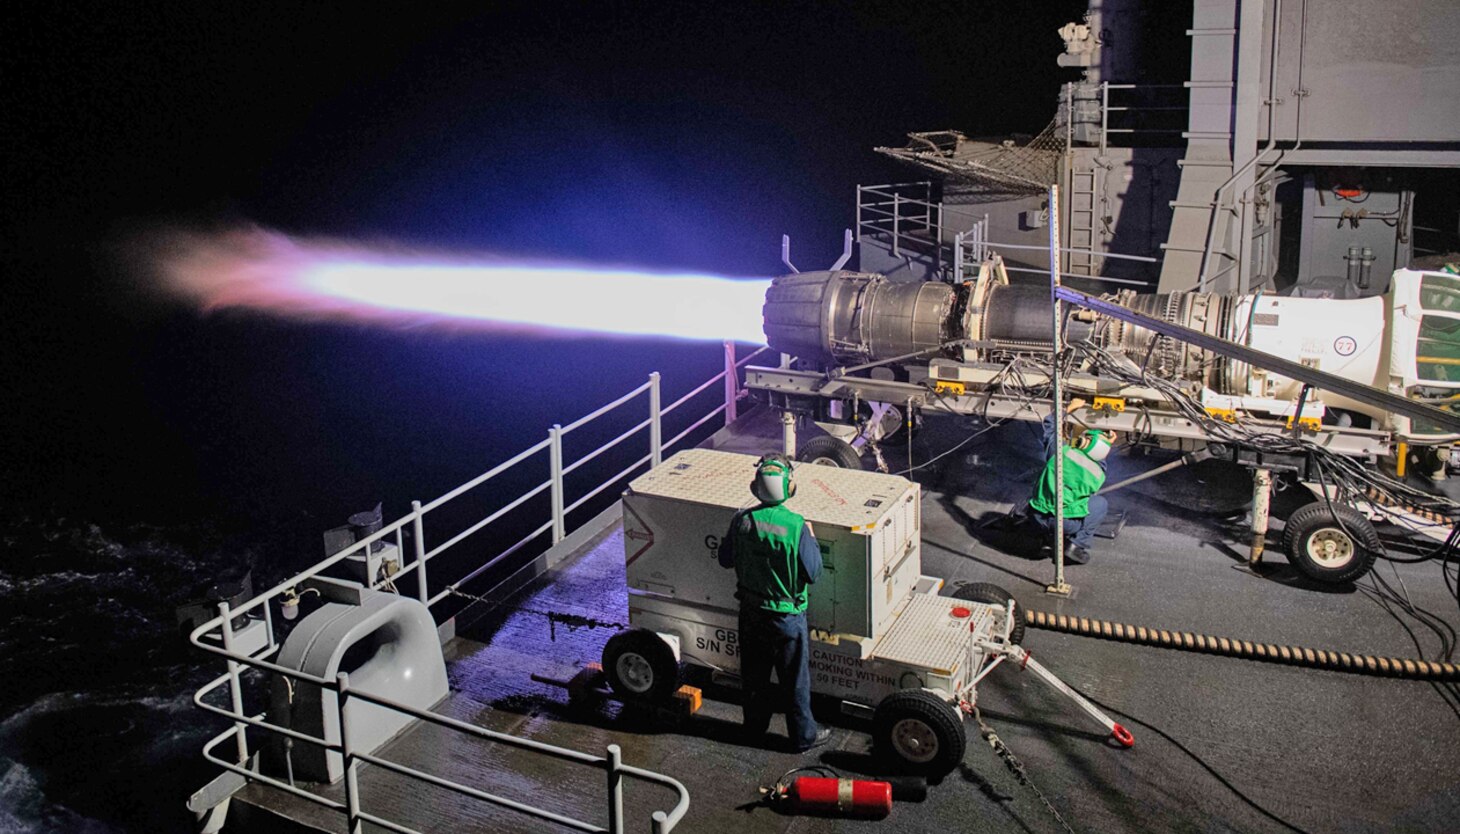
x=1399 y=343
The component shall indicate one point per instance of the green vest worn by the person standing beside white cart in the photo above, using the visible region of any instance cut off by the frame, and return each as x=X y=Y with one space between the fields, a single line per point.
x=769 y=560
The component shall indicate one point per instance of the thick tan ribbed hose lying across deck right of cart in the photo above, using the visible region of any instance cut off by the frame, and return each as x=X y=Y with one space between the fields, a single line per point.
x=1229 y=648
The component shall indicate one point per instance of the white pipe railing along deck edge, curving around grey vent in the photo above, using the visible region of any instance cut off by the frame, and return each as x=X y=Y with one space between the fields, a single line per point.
x=218 y=636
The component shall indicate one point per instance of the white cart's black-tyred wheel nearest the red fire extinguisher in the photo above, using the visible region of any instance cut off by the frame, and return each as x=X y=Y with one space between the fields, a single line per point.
x=919 y=731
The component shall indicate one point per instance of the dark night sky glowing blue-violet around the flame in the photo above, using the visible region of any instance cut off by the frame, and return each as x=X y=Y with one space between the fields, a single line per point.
x=674 y=137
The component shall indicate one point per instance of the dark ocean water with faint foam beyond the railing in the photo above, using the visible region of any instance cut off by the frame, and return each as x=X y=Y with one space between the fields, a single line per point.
x=99 y=728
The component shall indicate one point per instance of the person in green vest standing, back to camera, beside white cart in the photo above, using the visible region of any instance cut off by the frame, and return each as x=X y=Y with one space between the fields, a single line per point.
x=776 y=557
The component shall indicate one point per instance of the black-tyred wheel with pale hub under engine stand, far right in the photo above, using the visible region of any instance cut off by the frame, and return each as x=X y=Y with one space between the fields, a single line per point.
x=1335 y=546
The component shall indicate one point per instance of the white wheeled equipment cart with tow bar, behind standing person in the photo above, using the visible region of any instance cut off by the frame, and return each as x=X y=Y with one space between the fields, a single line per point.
x=881 y=636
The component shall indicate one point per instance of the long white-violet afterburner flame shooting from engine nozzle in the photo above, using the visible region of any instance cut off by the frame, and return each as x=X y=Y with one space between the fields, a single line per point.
x=335 y=280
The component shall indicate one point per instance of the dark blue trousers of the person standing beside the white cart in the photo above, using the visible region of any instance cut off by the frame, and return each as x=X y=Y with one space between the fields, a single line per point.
x=779 y=642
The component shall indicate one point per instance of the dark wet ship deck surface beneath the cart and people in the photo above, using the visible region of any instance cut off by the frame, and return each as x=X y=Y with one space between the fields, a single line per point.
x=1323 y=751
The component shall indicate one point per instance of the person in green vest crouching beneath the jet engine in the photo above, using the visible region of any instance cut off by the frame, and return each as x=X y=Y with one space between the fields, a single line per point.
x=1084 y=475
